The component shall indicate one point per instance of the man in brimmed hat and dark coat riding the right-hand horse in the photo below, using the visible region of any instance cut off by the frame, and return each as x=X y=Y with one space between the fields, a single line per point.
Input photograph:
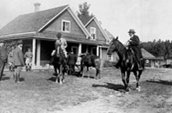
x=134 y=44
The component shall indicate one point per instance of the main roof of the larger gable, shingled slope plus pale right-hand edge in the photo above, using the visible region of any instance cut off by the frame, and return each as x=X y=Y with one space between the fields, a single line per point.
x=37 y=21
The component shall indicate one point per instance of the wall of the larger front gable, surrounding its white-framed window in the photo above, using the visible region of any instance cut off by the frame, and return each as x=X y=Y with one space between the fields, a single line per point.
x=56 y=25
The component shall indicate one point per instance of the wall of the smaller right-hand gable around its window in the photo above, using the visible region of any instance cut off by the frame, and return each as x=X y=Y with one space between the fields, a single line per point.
x=99 y=34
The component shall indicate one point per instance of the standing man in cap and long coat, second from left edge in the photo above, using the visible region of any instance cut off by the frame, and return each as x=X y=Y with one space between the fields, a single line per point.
x=18 y=60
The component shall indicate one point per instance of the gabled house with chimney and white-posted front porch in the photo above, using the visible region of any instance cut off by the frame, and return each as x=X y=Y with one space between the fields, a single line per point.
x=38 y=31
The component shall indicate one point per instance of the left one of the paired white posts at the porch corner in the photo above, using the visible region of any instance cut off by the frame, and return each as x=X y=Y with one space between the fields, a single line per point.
x=33 y=52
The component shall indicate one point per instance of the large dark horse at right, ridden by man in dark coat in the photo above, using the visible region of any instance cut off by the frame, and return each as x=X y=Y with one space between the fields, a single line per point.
x=127 y=62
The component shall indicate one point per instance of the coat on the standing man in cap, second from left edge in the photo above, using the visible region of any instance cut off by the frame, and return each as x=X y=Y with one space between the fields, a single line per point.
x=18 y=57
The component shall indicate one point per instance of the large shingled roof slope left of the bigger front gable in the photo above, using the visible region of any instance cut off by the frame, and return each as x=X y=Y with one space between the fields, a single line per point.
x=31 y=22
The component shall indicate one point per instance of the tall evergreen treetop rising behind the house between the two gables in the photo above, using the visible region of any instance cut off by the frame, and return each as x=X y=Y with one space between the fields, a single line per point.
x=83 y=13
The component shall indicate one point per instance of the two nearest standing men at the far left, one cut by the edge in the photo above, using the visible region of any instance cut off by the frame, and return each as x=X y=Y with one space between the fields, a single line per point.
x=17 y=58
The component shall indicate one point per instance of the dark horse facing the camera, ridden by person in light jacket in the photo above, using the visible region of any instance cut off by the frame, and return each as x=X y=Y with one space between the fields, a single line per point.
x=60 y=64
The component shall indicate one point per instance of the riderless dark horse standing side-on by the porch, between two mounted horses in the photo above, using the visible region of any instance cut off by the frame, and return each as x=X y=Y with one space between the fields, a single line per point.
x=90 y=60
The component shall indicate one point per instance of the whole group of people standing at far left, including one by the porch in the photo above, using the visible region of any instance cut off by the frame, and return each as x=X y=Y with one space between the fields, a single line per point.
x=14 y=57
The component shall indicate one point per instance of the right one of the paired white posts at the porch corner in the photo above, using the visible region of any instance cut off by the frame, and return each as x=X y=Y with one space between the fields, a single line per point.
x=38 y=56
